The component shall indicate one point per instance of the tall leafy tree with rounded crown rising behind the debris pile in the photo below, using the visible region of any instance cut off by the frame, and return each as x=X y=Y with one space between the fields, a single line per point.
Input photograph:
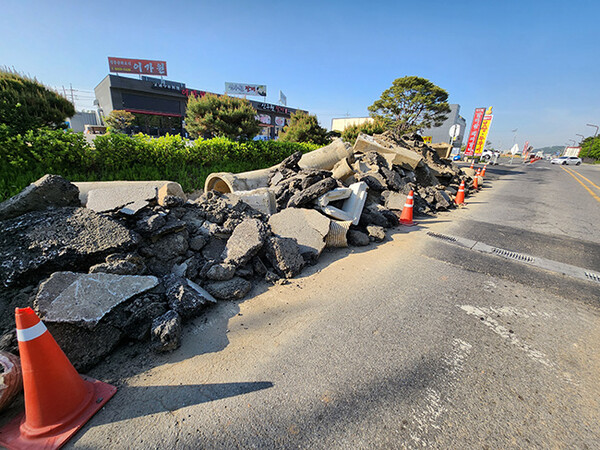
x=411 y=104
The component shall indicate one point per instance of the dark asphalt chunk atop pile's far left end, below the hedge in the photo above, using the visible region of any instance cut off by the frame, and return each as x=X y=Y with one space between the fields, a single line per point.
x=47 y=192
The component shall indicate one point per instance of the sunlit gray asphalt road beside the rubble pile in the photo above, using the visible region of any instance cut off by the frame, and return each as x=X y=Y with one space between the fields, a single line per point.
x=416 y=342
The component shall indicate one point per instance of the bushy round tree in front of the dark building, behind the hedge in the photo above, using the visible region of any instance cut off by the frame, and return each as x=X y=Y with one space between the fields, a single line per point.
x=221 y=116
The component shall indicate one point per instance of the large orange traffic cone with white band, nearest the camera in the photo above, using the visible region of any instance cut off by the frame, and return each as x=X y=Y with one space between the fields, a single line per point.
x=58 y=401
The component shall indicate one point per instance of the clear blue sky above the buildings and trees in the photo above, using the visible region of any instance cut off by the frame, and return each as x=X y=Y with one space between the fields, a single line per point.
x=536 y=62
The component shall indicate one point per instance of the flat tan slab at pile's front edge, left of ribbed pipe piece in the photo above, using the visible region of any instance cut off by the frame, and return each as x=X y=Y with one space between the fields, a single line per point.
x=307 y=226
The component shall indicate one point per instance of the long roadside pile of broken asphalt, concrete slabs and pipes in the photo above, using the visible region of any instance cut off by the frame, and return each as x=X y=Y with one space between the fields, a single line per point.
x=102 y=263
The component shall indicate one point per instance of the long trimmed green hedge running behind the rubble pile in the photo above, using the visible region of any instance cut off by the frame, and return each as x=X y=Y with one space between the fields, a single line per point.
x=26 y=158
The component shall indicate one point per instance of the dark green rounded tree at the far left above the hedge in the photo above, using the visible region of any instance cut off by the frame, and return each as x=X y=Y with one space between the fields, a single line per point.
x=26 y=104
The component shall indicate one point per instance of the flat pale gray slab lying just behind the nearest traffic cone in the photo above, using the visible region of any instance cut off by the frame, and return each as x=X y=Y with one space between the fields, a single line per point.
x=84 y=299
